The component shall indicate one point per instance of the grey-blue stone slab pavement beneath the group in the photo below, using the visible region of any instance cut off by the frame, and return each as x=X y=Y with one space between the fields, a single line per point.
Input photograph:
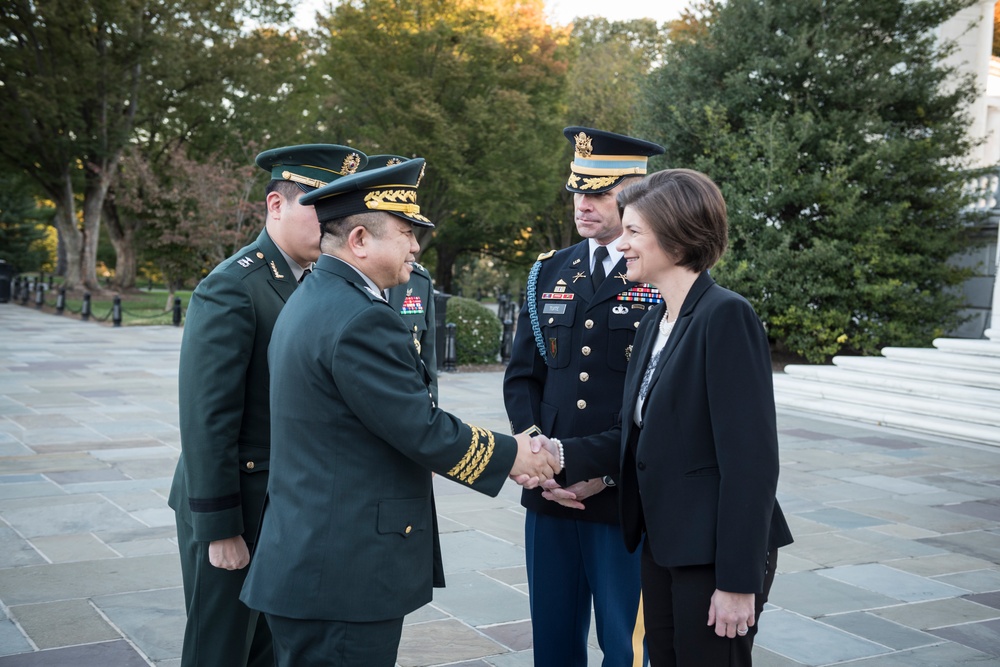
x=894 y=564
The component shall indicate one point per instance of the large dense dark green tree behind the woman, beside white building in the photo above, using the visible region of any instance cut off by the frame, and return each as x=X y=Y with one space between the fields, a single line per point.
x=838 y=137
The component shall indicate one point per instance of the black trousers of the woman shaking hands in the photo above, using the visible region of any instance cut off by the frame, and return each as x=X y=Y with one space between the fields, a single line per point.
x=676 y=601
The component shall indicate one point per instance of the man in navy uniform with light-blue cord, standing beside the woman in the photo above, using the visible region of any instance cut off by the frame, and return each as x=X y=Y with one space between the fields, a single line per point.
x=565 y=377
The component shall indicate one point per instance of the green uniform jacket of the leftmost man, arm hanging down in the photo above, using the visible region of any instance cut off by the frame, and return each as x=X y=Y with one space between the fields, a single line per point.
x=221 y=476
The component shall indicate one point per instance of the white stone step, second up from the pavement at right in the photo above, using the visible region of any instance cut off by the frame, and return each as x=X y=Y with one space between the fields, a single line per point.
x=877 y=400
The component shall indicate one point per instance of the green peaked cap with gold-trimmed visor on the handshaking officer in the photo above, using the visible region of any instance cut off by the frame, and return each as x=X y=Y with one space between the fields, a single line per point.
x=392 y=189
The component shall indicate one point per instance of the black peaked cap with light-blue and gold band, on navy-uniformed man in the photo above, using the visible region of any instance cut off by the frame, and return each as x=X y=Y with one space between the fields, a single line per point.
x=602 y=159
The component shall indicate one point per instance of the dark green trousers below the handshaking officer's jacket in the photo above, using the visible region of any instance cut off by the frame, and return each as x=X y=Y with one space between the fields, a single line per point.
x=311 y=643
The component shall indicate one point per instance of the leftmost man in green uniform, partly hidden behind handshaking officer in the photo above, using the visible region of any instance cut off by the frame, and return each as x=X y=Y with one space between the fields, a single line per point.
x=221 y=477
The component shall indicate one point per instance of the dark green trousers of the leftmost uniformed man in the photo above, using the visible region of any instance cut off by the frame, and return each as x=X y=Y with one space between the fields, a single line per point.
x=221 y=631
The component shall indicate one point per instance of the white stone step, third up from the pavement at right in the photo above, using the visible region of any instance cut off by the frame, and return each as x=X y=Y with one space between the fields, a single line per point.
x=901 y=385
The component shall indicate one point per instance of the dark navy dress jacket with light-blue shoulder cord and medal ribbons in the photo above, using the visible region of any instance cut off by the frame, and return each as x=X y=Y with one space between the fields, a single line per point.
x=577 y=389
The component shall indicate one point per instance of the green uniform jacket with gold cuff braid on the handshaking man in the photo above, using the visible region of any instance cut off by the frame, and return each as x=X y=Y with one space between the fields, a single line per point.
x=349 y=531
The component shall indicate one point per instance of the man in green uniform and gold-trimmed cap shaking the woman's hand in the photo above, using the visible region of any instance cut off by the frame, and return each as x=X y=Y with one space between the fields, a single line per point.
x=349 y=541
